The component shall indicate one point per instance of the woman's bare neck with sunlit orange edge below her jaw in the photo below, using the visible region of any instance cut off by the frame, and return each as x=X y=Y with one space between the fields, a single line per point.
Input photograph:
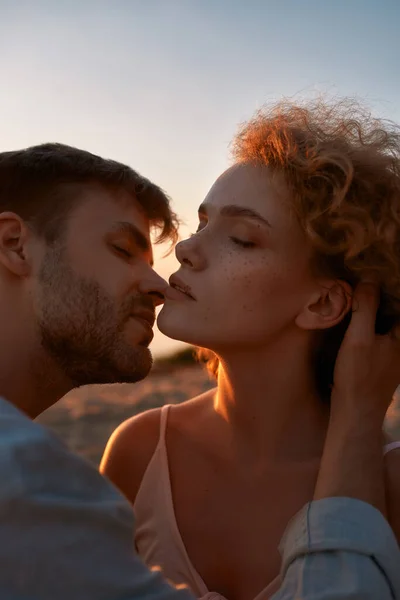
x=269 y=401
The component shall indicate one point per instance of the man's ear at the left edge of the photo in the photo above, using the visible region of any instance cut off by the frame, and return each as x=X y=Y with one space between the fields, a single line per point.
x=14 y=236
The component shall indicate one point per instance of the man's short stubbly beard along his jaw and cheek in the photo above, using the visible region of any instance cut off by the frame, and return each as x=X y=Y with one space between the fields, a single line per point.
x=82 y=330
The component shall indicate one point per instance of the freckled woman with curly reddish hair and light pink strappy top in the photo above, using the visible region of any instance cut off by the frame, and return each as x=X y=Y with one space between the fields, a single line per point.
x=310 y=207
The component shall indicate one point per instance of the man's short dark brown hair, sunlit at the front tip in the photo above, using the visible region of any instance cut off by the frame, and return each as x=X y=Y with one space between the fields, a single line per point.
x=42 y=184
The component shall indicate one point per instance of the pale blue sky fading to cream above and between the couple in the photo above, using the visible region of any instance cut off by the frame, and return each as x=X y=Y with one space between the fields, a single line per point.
x=162 y=85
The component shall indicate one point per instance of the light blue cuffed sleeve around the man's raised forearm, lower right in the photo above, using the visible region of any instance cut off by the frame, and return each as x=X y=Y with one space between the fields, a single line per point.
x=339 y=549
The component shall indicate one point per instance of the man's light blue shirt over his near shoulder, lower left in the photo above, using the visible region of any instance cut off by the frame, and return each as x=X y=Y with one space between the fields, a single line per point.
x=65 y=532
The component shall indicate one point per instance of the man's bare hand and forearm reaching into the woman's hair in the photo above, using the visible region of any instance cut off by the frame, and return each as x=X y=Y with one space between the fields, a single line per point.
x=365 y=378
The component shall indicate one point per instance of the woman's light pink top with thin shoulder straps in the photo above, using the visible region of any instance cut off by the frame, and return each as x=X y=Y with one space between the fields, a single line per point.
x=158 y=540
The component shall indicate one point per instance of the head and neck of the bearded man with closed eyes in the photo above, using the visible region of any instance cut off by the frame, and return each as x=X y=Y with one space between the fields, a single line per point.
x=78 y=291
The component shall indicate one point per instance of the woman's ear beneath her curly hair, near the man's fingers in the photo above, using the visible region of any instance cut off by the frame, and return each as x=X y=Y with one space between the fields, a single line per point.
x=327 y=307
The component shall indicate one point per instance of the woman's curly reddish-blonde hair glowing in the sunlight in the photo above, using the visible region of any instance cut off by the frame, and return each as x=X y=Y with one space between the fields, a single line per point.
x=342 y=167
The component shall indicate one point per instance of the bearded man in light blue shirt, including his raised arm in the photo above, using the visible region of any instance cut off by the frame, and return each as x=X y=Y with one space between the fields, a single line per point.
x=78 y=294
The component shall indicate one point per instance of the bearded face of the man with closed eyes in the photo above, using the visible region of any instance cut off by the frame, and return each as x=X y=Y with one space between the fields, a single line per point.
x=96 y=292
